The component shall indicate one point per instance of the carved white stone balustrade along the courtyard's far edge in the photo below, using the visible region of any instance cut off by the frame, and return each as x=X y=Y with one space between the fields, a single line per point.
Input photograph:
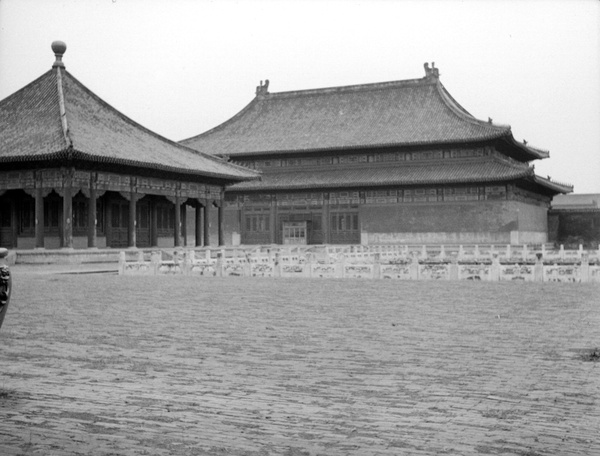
x=489 y=263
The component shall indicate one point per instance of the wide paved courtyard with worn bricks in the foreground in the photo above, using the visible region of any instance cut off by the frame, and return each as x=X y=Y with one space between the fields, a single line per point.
x=100 y=364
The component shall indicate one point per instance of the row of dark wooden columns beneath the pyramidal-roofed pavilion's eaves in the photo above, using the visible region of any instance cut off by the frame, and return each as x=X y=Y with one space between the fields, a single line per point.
x=202 y=232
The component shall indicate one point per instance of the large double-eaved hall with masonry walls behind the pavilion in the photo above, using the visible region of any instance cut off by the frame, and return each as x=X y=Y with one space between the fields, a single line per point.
x=393 y=162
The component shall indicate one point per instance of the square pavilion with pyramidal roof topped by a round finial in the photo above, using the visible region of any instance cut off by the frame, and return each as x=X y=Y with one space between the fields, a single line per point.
x=76 y=173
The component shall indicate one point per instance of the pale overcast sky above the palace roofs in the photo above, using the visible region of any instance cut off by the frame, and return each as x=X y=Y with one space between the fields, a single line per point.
x=181 y=67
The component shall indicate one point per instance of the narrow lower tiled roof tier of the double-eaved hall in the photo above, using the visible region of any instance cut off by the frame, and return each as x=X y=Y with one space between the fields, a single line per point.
x=374 y=175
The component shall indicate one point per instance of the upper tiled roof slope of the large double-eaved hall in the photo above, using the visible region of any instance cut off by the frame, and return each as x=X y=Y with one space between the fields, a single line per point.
x=410 y=112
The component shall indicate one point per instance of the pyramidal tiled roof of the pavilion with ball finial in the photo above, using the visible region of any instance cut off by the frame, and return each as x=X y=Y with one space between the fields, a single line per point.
x=31 y=128
